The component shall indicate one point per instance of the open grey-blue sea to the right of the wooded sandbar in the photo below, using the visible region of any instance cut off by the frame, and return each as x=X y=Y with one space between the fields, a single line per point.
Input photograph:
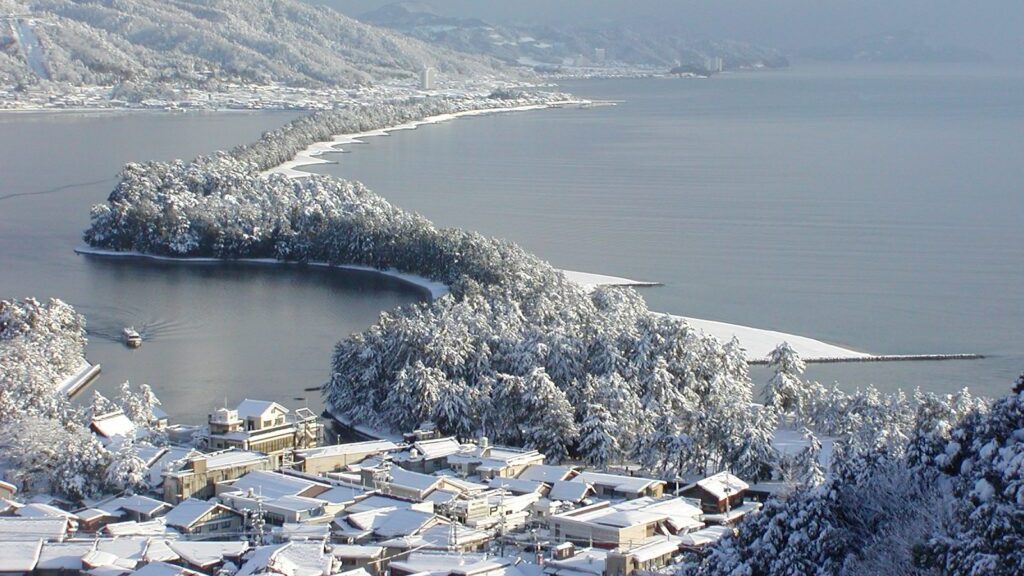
x=878 y=209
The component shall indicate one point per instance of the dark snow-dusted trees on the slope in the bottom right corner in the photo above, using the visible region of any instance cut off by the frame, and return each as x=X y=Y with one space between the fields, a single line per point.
x=948 y=501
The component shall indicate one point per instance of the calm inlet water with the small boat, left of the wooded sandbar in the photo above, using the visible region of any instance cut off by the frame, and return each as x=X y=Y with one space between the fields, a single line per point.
x=214 y=334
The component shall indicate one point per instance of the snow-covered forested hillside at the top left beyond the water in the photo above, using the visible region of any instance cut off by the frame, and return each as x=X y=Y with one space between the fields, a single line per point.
x=208 y=44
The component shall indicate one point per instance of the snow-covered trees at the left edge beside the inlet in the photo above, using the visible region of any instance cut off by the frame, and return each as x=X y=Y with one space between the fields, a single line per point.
x=46 y=442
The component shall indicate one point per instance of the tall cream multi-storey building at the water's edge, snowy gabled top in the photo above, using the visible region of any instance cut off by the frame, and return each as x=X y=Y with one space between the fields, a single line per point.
x=265 y=427
